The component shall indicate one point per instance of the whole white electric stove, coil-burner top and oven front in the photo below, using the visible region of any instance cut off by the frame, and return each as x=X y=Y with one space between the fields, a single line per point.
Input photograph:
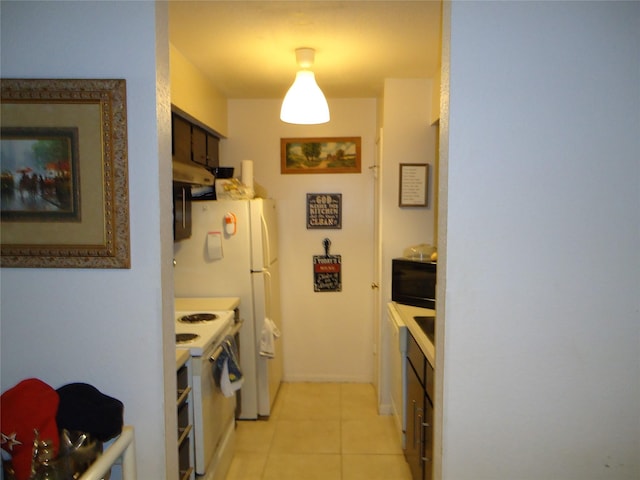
x=202 y=333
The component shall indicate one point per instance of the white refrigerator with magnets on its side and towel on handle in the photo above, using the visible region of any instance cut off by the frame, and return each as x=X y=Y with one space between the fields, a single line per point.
x=233 y=252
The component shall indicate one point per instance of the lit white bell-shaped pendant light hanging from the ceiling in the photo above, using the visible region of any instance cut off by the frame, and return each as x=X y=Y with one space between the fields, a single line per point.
x=304 y=103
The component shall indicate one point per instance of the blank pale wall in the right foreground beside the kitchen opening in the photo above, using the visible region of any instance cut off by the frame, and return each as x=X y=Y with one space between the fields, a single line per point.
x=542 y=332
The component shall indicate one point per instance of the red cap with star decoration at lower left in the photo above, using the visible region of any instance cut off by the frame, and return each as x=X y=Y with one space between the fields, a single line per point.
x=31 y=404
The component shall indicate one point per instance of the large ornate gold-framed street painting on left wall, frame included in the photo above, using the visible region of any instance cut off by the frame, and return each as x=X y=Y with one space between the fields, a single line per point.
x=64 y=167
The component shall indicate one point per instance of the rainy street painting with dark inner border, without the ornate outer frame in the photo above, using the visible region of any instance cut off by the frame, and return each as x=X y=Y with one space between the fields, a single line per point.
x=39 y=173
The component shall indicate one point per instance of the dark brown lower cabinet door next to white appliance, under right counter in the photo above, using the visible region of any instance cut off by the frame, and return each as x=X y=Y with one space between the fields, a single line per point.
x=415 y=414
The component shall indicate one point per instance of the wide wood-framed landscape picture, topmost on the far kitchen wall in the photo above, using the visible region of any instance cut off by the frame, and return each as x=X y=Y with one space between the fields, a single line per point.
x=320 y=155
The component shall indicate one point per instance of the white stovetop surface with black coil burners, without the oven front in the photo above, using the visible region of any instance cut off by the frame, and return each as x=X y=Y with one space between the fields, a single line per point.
x=208 y=330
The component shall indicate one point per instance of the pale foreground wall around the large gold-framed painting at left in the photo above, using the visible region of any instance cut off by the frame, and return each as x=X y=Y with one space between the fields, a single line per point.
x=103 y=327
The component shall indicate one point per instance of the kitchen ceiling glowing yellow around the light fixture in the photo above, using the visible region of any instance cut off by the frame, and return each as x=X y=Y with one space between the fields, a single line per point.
x=247 y=48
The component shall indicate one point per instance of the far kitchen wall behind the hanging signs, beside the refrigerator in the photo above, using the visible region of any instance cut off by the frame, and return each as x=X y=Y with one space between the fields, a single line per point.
x=326 y=336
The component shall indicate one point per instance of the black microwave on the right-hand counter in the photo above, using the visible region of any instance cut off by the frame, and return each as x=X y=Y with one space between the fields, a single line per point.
x=413 y=282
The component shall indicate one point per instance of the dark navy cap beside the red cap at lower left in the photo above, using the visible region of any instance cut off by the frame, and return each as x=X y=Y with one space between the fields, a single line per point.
x=84 y=408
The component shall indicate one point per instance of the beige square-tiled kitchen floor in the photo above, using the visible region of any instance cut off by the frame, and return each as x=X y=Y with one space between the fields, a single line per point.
x=320 y=431
